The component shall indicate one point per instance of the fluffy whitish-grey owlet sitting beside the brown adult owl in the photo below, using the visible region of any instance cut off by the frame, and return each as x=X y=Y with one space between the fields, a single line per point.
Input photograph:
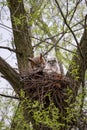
x=52 y=65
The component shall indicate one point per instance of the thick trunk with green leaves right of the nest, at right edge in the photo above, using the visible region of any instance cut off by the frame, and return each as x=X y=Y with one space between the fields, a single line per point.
x=80 y=63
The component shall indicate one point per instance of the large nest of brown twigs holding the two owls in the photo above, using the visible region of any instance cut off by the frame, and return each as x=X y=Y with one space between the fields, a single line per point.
x=38 y=85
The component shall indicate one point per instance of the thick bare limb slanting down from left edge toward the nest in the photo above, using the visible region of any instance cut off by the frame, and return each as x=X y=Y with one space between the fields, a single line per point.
x=10 y=75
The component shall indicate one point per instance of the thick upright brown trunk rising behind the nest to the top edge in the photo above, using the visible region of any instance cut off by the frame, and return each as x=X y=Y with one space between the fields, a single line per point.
x=21 y=32
